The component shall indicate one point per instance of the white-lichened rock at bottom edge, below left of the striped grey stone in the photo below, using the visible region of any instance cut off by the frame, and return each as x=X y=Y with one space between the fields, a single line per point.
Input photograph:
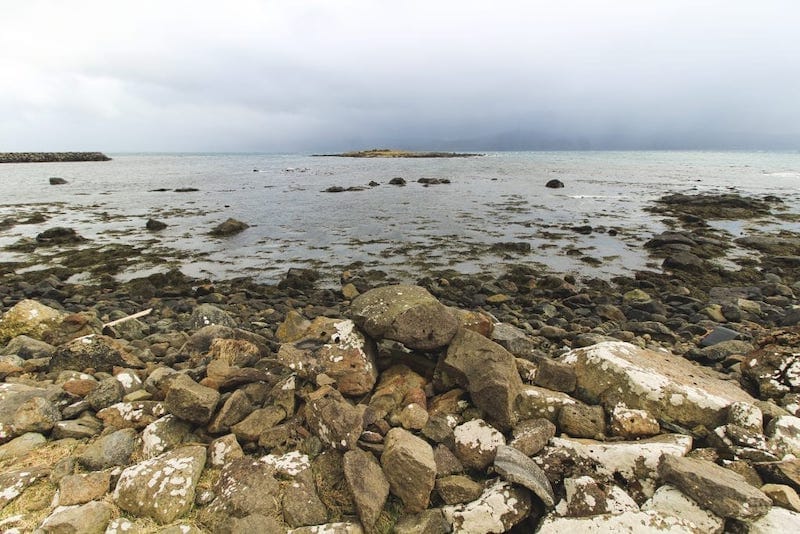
x=498 y=509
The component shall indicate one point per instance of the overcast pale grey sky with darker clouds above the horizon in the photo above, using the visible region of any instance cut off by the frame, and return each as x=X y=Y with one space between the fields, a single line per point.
x=317 y=76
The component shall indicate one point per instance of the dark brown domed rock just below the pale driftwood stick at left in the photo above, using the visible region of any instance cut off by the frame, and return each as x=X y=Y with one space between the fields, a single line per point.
x=100 y=353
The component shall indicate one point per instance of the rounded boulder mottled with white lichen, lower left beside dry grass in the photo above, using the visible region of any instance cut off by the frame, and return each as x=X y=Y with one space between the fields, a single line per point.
x=161 y=488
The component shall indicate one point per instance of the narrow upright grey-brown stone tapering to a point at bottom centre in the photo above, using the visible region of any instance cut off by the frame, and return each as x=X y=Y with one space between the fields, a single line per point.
x=368 y=484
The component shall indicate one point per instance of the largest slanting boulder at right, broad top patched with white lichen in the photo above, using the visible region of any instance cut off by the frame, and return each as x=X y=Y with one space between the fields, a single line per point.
x=669 y=387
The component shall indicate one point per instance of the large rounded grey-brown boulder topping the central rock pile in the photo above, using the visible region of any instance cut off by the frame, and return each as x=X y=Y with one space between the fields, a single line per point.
x=407 y=314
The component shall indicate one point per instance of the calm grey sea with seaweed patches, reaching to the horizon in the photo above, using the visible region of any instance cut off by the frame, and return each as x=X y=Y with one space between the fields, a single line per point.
x=410 y=231
